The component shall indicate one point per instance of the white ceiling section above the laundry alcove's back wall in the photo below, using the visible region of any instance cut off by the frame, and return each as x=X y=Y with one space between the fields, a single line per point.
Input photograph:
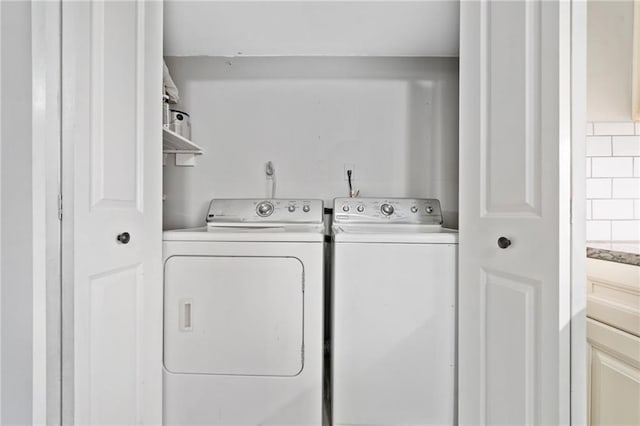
x=311 y=28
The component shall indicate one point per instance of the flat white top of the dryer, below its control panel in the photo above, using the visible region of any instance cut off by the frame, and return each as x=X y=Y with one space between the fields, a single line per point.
x=281 y=233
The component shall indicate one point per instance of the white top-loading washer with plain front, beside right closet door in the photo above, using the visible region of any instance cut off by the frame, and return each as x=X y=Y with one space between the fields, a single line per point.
x=394 y=313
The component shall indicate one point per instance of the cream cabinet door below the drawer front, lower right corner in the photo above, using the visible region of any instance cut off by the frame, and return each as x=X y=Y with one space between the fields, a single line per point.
x=614 y=376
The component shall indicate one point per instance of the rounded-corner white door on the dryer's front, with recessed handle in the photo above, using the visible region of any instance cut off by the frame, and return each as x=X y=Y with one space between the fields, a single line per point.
x=233 y=315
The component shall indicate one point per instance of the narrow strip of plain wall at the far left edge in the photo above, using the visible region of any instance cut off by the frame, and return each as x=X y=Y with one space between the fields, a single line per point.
x=15 y=217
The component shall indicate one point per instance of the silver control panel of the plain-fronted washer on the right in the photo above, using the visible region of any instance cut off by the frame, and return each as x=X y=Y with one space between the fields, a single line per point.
x=387 y=210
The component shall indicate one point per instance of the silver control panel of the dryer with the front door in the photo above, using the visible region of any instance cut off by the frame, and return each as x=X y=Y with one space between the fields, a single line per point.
x=265 y=211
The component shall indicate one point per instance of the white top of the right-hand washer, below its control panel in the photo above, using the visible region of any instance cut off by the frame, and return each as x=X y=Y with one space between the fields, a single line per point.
x=394 y=233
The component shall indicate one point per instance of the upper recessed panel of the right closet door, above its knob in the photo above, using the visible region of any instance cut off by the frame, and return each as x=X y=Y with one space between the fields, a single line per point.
x=510 y=108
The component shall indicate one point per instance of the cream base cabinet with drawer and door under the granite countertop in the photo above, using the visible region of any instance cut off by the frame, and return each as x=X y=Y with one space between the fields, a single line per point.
x=613 y=327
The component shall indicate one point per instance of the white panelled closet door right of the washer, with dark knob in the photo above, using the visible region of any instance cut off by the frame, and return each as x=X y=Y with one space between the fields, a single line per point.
x=514 y=305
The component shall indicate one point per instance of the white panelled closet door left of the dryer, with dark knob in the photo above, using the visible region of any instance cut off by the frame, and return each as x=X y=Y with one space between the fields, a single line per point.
x=112 y=81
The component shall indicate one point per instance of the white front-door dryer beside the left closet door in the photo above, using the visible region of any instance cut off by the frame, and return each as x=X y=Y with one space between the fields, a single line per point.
x=243 y=316
